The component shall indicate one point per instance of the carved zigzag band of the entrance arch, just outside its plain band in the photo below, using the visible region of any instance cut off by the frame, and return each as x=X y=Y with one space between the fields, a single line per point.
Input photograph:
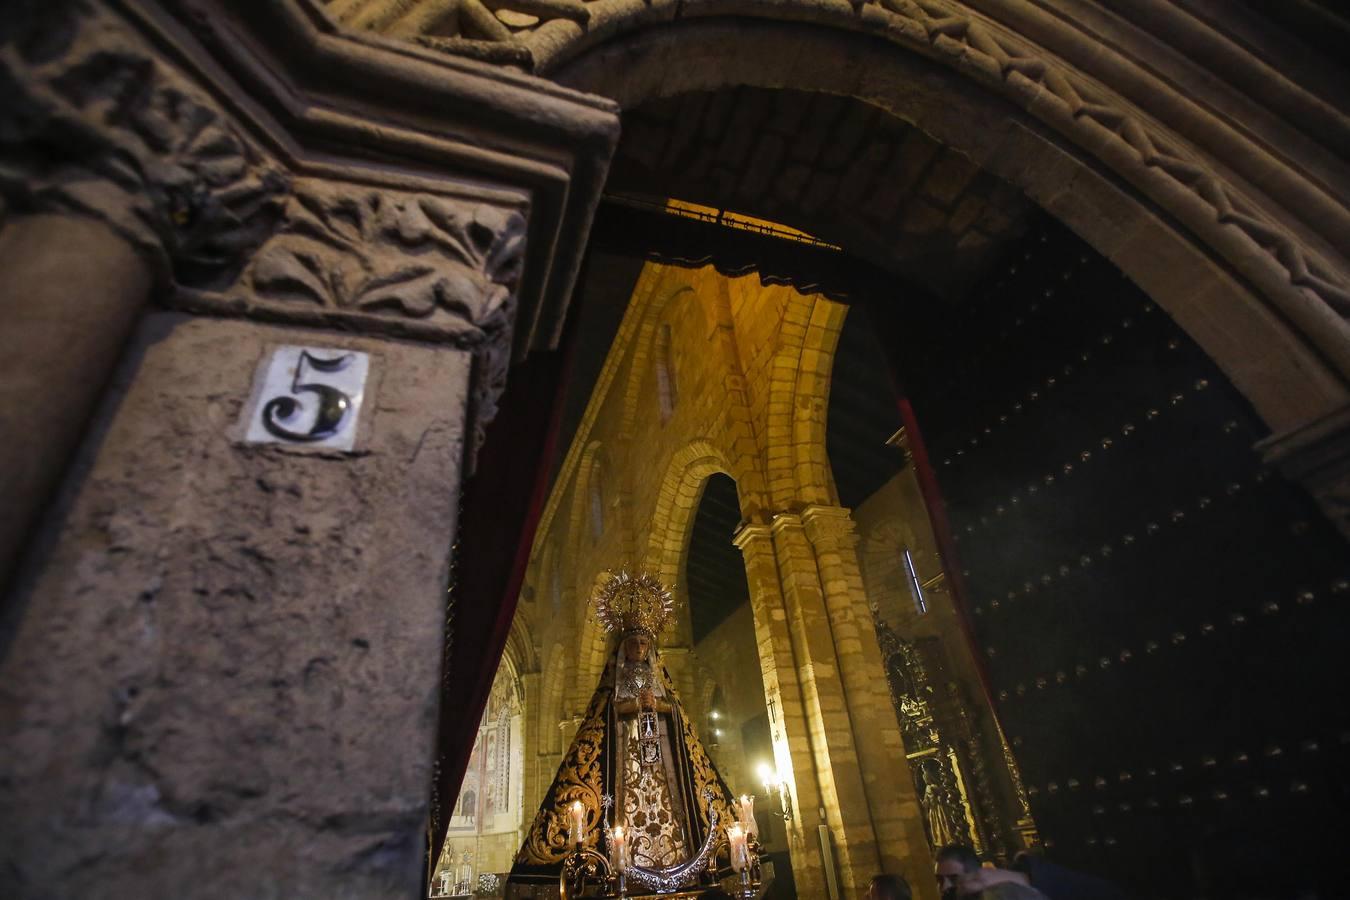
x=1062 y=76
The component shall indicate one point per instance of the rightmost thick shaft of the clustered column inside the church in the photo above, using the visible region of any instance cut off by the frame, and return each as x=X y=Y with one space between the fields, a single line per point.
x=897 y=817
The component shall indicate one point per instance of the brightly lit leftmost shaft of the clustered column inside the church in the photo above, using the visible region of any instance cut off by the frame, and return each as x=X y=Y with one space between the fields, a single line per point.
x=790 y=728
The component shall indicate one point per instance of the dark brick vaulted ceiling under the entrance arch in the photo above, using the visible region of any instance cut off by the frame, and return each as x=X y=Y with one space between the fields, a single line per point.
x=834 y=167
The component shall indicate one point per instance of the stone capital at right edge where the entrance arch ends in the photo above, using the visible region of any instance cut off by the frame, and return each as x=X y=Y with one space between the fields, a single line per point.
x=1318 y=457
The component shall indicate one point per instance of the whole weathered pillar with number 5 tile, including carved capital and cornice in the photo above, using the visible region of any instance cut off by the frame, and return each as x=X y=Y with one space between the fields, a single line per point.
x=221 y=667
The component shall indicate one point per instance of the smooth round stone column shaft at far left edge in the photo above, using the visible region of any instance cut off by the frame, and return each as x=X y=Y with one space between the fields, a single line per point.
x=71 y=289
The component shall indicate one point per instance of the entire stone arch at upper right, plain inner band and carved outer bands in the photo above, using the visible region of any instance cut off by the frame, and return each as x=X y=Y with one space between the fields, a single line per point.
x=1224 y=199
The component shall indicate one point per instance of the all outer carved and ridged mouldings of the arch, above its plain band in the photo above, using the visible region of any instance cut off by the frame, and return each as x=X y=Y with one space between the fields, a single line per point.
x=1260 y=196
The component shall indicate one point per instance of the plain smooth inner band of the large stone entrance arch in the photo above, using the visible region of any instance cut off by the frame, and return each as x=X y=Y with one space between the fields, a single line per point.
x=1278 y=334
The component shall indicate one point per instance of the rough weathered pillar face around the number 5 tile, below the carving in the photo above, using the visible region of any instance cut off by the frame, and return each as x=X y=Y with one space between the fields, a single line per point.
x=226 y=670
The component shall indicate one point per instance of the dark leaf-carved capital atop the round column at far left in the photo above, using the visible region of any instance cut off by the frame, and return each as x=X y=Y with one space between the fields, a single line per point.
x=97 y=123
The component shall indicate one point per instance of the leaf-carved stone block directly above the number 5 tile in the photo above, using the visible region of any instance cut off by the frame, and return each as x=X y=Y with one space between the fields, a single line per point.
x=376 y=260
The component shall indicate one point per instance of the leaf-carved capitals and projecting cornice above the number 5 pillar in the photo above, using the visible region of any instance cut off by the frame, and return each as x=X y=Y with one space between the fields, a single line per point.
x=184 y=130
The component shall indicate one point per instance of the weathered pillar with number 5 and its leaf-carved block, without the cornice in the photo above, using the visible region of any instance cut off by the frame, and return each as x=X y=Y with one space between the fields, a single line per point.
x=223 y=660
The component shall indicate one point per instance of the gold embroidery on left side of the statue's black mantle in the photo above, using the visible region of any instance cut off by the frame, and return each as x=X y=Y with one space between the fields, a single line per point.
x=578 y=779
